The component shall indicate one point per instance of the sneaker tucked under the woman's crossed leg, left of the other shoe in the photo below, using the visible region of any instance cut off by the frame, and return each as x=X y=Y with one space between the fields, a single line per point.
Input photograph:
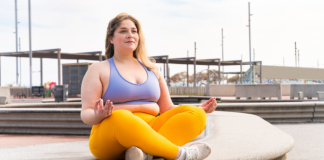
x=134 y=153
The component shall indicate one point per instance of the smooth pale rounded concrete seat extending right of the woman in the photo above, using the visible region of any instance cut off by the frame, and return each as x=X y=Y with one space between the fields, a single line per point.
x=245 y=137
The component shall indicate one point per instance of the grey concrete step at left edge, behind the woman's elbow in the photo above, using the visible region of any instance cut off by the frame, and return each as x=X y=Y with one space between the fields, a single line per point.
x=42 y=121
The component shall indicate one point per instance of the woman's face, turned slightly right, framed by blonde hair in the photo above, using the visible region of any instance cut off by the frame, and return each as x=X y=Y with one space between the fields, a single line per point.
x=125 y=37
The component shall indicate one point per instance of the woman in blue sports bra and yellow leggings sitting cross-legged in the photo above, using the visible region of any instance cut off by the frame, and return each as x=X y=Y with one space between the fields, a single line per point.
x=122 y=96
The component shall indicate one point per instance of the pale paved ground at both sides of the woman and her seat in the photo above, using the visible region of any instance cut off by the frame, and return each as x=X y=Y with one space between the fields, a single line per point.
x=309 y=145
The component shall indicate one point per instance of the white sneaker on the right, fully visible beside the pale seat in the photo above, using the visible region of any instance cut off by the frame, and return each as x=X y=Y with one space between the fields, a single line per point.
x=197 y=151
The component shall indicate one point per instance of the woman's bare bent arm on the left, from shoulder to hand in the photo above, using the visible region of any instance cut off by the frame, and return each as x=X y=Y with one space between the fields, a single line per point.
x=93 y=111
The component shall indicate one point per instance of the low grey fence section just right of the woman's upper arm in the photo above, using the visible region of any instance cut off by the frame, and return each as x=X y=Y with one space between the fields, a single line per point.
x=199 y=91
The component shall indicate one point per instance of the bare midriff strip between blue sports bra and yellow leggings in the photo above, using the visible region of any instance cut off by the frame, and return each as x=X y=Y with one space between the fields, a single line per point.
x=151 y=108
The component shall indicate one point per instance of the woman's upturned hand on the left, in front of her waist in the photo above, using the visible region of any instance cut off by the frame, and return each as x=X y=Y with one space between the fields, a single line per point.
x=103 y=111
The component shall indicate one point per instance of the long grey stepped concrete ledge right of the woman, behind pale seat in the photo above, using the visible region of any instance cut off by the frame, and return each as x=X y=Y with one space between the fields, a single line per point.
x=277 y=112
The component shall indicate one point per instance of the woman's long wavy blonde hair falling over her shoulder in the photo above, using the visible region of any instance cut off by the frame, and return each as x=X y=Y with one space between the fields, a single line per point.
x=140 y=52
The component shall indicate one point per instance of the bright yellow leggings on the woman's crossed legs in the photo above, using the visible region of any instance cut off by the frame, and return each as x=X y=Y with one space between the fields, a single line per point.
x=158 y=136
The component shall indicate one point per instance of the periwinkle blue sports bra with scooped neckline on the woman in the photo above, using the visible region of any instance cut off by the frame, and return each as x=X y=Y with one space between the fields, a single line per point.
x=121 y=91
